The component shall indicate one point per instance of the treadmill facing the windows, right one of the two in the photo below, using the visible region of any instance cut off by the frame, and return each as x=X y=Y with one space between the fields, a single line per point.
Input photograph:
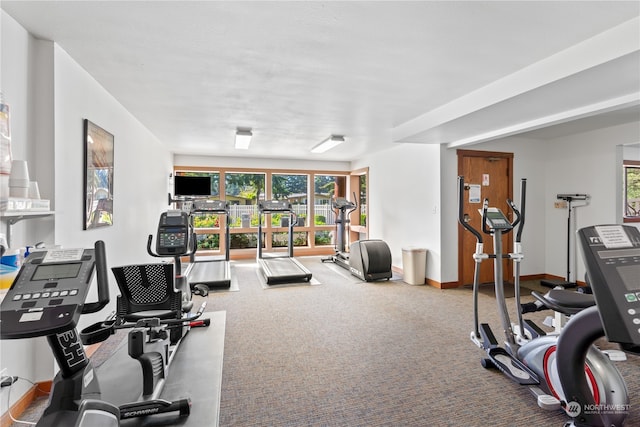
x=280 y=269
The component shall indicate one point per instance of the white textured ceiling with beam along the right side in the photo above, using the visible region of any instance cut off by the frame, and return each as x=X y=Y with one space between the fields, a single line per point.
x=377 y=72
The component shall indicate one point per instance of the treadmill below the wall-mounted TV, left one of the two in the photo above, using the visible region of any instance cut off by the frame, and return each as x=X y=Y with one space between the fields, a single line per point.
x=213 y=272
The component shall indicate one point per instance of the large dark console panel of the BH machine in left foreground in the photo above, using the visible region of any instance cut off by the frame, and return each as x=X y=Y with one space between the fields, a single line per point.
x=48 y=294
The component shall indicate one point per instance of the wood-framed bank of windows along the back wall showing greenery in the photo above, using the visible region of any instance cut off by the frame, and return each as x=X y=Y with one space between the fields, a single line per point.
x=310 y=193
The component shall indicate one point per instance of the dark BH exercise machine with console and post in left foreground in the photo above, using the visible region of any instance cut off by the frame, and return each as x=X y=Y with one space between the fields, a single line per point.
x=46 y=299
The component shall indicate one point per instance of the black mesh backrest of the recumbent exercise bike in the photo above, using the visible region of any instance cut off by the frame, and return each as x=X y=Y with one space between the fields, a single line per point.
x=147 y=290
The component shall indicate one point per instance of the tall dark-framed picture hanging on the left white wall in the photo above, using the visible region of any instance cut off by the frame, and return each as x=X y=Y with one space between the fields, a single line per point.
x=98 y=176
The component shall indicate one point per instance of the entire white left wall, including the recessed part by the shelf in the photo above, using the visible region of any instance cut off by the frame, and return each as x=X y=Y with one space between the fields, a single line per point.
x=52 y=95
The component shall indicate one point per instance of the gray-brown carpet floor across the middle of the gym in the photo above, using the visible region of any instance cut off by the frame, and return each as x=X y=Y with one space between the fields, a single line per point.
x=342 y=352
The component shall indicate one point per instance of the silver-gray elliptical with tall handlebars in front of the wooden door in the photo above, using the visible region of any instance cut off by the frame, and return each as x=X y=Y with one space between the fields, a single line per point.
x=529 y=355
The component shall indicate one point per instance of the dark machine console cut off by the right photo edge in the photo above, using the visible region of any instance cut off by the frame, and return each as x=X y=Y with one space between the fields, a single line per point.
x=612 y=259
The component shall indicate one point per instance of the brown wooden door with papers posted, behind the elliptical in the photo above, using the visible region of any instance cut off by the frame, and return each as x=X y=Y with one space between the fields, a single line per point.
x=487 y=175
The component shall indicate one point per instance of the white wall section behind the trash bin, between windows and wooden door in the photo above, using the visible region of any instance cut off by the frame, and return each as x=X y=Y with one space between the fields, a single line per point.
x=404 y=200
